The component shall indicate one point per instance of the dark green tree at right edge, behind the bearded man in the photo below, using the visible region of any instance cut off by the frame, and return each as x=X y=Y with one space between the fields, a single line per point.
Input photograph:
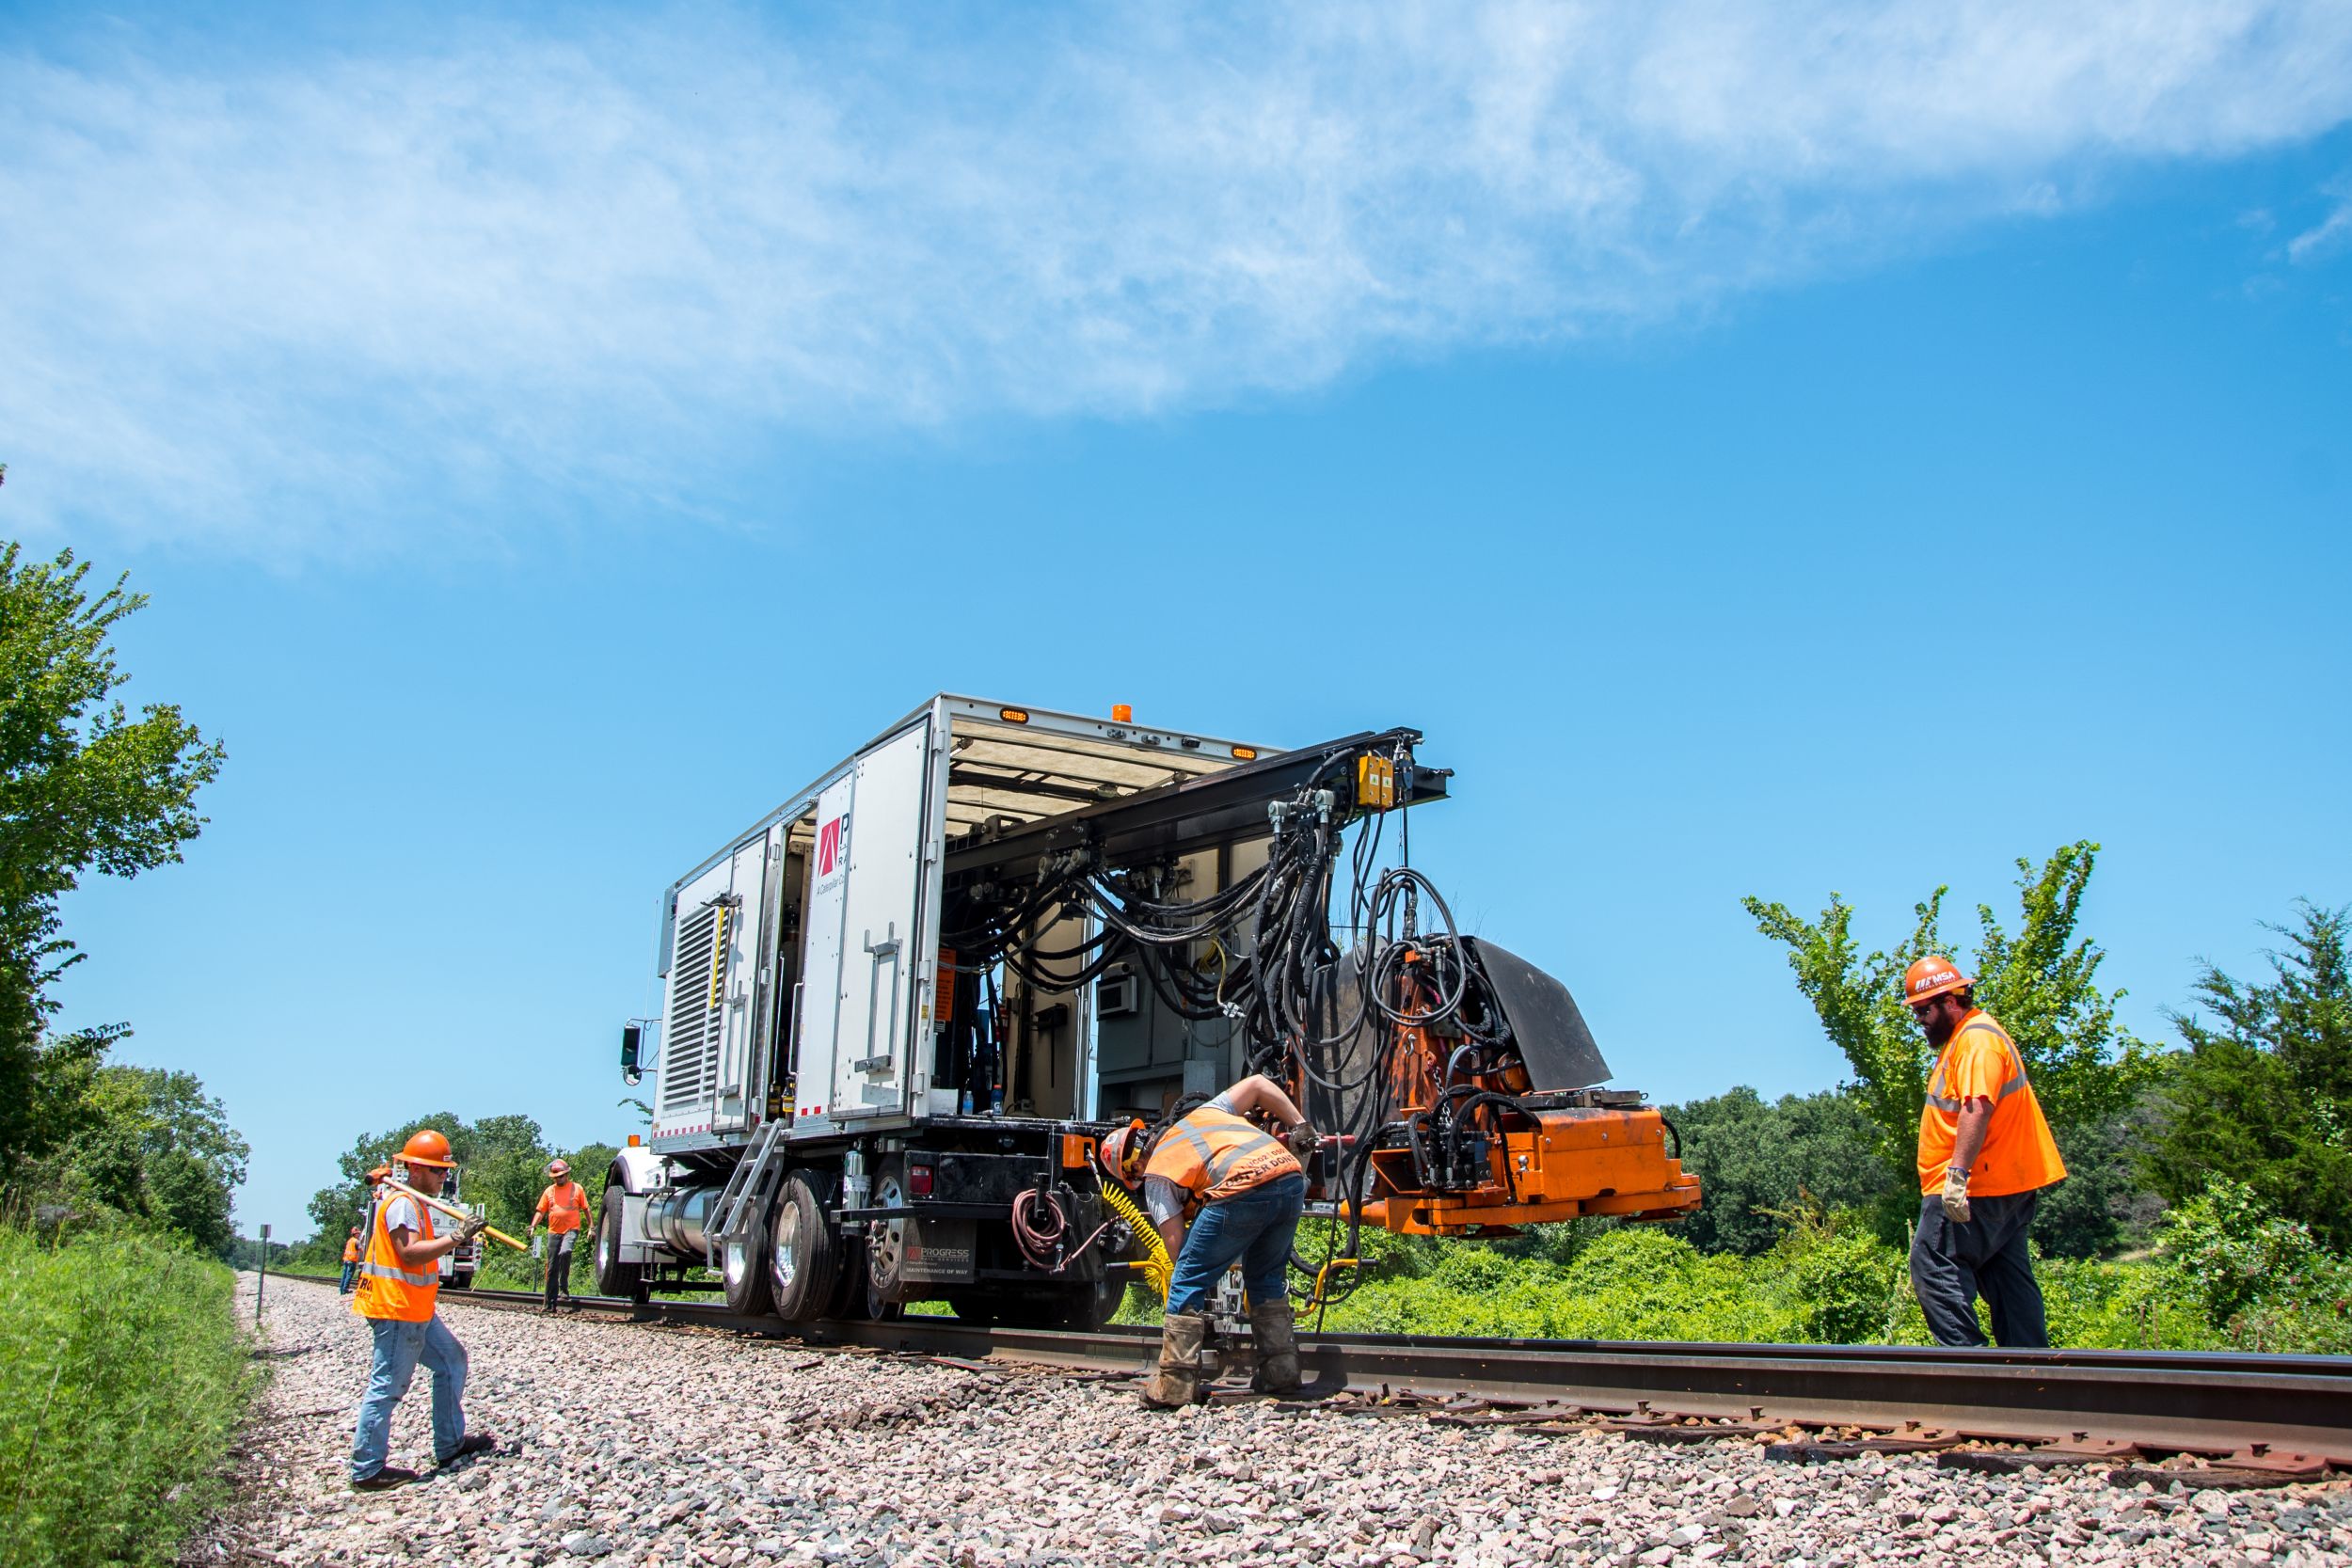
x=2264 y=1092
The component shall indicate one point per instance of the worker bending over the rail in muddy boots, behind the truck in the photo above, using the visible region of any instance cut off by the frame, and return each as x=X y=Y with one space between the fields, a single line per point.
x=1243 y=1188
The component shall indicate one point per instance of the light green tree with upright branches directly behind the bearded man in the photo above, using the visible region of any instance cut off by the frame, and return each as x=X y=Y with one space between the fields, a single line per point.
x=2043 y=984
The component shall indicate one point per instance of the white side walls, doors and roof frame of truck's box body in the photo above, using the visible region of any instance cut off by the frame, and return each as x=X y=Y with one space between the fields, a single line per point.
x=874 y=838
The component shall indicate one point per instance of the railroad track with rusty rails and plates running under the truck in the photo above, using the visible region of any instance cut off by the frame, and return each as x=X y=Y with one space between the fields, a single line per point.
x=2243 y=1419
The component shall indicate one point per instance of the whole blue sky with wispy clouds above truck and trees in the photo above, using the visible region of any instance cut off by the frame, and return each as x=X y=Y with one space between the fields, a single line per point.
x=1845 y=455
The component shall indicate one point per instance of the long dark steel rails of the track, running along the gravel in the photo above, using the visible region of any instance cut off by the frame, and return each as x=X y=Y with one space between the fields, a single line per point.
x=2193 y=1402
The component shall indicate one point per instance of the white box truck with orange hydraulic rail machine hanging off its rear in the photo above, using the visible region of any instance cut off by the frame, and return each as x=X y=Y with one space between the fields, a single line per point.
x=900 y=1012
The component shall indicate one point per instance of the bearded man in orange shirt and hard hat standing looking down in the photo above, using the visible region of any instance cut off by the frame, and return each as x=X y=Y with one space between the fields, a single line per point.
x=1986 y=1153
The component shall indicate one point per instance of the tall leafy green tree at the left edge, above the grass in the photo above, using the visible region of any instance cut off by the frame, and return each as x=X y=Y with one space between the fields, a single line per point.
x=83 y=786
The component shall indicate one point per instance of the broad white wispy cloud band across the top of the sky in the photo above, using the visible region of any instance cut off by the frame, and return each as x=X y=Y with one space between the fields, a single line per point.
x=267 y=302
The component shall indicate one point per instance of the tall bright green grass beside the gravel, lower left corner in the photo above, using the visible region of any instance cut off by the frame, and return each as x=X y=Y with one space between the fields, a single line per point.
x=123 y=1379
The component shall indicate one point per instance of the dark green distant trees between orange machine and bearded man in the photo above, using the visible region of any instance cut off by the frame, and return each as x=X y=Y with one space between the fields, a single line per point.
x=1760 y=1160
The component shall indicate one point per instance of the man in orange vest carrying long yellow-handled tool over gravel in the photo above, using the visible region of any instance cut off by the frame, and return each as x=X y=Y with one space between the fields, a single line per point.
x=399 y=1287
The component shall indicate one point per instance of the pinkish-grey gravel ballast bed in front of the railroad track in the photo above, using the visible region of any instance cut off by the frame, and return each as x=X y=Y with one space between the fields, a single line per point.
x=627 y=1445
